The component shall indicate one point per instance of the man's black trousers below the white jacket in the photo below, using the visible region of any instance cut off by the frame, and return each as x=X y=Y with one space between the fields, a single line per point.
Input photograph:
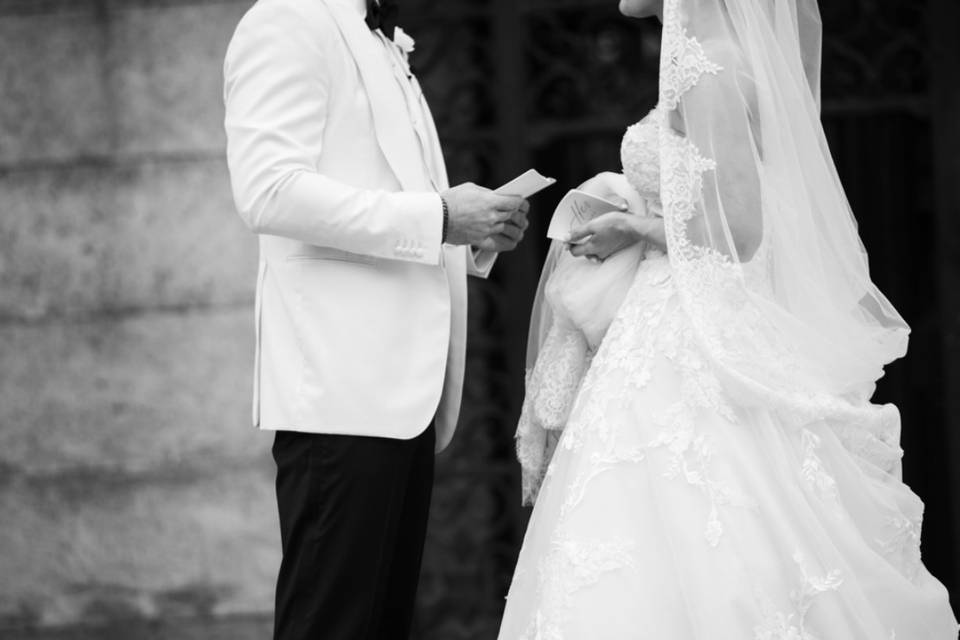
x=353 y=517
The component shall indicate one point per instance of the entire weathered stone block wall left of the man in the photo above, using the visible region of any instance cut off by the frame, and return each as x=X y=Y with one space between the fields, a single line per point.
x=131 y=482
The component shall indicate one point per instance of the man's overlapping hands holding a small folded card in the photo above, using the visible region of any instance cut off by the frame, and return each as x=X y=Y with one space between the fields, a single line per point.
x=484 y=219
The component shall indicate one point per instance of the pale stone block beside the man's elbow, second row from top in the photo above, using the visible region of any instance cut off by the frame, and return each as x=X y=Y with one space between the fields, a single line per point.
x=178 y=240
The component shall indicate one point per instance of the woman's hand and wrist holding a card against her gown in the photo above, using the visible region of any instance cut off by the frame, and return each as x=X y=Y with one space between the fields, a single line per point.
x=612 y=232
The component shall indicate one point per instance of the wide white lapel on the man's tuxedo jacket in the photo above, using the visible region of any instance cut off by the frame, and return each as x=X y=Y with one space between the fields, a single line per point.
x=378 y=80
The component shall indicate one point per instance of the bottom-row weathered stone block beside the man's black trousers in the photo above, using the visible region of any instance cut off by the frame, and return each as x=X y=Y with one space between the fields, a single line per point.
x=163 y=547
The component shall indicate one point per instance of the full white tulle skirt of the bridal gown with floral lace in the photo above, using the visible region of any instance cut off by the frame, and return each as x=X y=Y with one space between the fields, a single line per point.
x=671 y=512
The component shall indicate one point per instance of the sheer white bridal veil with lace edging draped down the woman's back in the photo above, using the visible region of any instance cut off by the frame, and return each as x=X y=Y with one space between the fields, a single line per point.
x=763 y=244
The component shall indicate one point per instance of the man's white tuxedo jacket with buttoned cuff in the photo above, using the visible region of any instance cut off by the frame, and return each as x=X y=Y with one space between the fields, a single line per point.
x=361 y=311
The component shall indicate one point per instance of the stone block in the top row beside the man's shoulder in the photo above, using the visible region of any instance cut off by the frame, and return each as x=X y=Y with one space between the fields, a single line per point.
x=167 y=64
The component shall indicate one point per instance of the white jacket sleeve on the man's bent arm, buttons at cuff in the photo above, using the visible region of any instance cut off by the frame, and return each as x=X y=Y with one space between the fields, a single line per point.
x=276 y=92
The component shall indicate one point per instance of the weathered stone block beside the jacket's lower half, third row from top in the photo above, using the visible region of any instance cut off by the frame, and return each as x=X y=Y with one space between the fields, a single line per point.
x=116 y=397
